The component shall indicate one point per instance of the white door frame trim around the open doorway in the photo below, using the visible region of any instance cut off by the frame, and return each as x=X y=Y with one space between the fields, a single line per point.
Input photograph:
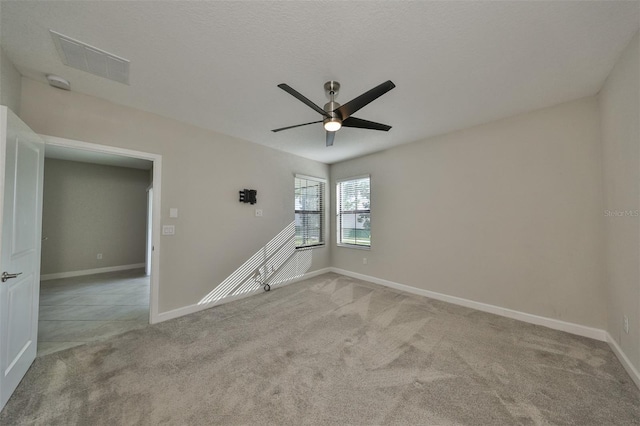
x=156 y=226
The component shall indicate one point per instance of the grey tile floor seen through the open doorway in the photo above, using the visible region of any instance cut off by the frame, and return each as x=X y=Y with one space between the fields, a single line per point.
x=77 y=310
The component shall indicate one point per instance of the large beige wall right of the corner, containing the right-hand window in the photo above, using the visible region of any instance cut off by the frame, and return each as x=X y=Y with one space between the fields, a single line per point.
x=508 y=213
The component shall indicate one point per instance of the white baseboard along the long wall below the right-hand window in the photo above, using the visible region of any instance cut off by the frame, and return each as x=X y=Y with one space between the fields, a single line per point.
x=569 y=327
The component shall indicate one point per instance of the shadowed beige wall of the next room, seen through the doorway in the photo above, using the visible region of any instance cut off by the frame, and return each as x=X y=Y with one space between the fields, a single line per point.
x=90 y=209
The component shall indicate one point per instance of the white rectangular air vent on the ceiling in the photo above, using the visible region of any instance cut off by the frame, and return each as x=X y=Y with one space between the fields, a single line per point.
x=77 y=54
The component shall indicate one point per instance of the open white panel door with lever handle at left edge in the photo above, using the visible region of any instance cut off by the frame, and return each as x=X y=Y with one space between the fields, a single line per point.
x=21 y=178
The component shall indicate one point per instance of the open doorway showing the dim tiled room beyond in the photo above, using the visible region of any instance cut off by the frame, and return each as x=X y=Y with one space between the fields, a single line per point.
x=94 y=228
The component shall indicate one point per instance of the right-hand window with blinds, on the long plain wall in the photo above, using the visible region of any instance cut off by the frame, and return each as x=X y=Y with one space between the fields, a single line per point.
x=354 y=212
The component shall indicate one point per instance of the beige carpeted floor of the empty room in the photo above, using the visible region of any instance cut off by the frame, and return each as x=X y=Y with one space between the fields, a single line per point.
x=331 y=350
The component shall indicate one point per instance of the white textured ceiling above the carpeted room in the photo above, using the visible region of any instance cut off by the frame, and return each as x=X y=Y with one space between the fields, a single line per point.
x=216 y=64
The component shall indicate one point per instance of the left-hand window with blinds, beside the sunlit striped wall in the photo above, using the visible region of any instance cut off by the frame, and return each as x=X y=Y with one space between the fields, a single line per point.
x=309 y=211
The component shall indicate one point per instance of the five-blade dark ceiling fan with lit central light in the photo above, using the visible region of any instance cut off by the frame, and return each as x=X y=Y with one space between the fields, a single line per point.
x=335 y=115
